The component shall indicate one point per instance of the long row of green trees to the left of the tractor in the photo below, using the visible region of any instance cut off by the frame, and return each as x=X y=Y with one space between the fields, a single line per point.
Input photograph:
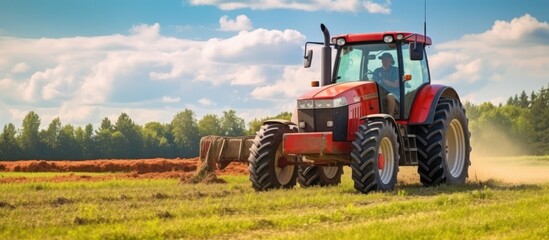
x=123 y=139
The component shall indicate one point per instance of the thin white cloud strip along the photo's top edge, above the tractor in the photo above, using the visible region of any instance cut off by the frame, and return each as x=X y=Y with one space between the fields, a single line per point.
x=306 y=5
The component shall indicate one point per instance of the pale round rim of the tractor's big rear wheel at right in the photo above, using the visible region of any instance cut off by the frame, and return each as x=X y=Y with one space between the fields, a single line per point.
x=455 y=148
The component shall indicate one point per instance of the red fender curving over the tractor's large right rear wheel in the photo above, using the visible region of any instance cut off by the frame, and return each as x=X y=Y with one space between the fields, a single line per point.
x=425 y=102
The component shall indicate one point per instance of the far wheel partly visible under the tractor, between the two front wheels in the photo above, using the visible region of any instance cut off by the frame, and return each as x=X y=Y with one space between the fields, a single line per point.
x=309 y=176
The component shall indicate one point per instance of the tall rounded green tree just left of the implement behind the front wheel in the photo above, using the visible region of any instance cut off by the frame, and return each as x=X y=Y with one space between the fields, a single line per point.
x=185 y=133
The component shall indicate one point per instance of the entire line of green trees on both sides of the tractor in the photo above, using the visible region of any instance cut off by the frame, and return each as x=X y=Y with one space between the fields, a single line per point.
x=520 y=126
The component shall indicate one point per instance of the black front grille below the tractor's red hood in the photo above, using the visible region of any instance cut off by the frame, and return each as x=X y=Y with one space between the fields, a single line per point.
x=316 y=121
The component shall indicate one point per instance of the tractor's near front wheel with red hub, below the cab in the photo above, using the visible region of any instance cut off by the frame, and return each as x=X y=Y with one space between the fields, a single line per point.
x=375 y=157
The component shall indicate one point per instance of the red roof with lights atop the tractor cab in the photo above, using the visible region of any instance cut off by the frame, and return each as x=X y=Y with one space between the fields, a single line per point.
x=375 y=37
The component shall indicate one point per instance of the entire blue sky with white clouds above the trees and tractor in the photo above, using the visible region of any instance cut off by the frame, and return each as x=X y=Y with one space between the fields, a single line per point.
x=84 y=60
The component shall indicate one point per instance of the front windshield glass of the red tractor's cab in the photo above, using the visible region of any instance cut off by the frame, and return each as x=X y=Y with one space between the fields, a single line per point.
x=359 y=62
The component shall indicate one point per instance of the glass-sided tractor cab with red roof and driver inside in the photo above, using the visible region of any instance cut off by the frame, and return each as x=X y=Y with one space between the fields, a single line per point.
x=395 y=61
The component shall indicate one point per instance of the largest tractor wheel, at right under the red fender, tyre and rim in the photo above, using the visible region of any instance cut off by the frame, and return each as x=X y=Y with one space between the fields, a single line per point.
x=443 y=146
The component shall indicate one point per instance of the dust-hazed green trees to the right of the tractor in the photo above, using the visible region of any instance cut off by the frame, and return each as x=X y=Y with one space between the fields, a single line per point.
x=518 y=127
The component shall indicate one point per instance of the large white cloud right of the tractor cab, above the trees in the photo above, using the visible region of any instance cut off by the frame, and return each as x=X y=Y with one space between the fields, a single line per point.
x=493 y=65
